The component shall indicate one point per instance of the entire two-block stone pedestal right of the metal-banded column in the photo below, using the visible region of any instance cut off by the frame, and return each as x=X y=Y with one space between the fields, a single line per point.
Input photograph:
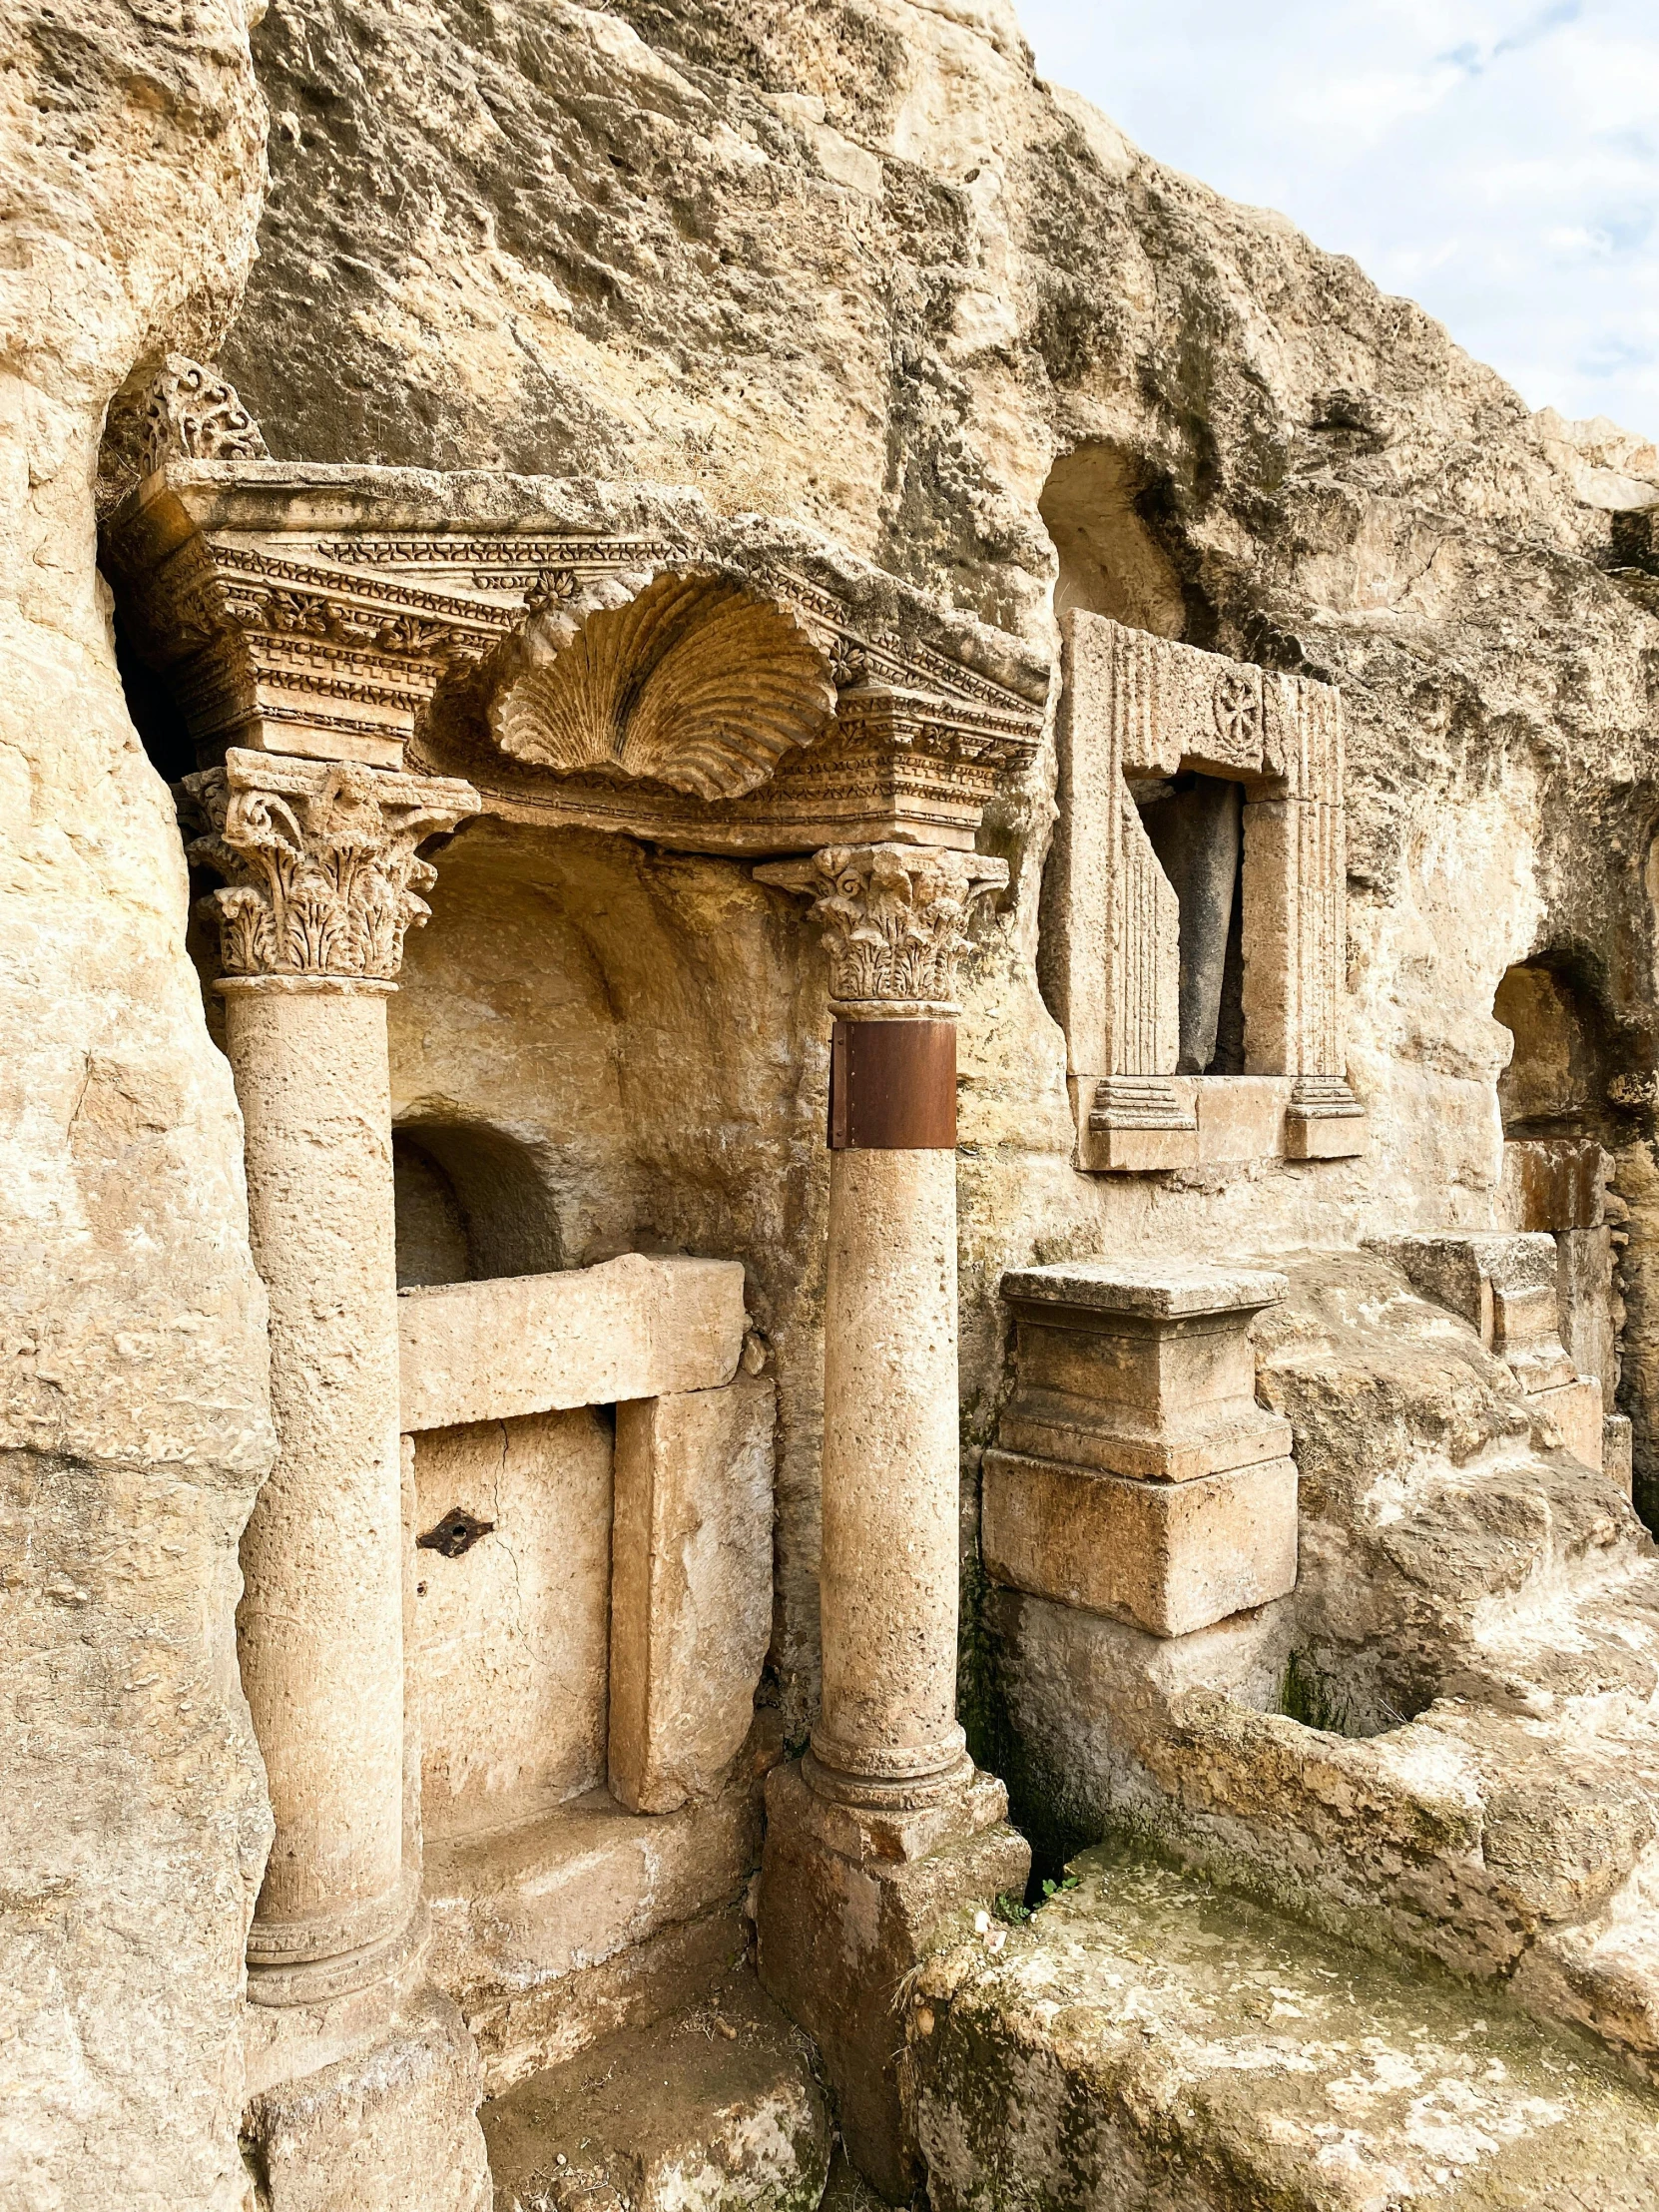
x=1136 y=1472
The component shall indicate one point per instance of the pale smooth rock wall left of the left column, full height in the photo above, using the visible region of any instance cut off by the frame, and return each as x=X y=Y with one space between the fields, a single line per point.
x=132 y=1415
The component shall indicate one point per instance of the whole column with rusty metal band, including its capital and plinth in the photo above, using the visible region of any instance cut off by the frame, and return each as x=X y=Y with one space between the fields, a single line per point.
x=888 y=1782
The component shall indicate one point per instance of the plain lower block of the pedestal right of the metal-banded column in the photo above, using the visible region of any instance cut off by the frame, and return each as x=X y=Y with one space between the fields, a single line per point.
x=1165 y=1556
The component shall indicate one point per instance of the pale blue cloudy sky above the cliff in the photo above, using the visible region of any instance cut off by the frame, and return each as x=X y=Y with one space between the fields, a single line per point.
x=1496 y=163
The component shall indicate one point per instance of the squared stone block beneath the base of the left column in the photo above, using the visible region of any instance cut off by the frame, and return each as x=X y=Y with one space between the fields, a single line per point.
x=366 y=2105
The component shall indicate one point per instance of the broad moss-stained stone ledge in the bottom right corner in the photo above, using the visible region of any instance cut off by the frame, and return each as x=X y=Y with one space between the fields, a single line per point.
x=1151 y=2043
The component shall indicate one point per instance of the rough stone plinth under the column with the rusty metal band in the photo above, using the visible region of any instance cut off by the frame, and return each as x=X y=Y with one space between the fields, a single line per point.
x=853 y=1899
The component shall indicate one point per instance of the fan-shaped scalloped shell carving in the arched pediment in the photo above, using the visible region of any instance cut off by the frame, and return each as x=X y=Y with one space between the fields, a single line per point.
x=698 y=682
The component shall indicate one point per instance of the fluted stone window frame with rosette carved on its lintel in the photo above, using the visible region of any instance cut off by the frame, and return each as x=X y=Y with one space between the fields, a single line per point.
x=1255 y=758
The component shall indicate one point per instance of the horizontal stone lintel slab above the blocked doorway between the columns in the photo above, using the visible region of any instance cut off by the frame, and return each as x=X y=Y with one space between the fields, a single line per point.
x=543 y=1344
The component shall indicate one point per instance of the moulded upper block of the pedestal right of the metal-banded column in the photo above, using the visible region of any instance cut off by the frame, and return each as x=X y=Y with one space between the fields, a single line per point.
x=1140 y=1368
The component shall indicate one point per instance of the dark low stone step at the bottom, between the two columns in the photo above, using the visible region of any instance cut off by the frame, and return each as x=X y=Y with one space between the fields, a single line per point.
x=716 y=2109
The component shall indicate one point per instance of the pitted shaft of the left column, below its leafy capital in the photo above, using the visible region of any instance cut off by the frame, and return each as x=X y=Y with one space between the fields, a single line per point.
x=322 y=1618
